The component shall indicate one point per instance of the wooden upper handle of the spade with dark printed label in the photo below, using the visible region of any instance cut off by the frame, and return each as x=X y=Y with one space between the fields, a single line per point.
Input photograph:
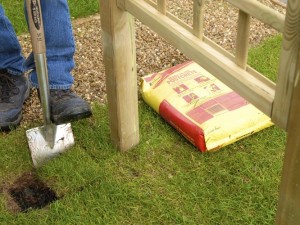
x=36 y=27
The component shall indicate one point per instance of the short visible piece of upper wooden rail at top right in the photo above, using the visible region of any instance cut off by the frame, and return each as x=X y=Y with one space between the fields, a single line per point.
x=261 y=12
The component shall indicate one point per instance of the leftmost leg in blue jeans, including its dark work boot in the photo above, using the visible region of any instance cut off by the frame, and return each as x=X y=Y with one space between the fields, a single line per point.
x=14 y=86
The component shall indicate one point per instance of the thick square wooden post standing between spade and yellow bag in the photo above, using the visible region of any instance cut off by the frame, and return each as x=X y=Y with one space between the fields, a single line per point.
x=120 y=68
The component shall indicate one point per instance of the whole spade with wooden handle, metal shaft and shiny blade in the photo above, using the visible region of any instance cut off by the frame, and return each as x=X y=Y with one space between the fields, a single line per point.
x=49 y=140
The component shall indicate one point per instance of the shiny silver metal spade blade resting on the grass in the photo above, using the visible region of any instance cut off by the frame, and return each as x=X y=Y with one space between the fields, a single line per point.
x=41 y=150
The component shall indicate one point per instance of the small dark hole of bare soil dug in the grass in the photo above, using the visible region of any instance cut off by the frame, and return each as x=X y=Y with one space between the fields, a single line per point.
x=31 y=193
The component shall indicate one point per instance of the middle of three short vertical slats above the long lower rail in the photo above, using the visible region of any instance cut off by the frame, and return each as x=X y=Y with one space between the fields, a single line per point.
x=198 y=18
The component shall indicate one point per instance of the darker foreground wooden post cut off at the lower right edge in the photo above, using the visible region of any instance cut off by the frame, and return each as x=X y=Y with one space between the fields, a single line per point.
x=289 y=199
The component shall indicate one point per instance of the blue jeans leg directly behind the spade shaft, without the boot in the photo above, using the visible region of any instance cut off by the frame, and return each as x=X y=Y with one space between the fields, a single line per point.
x=59 y=43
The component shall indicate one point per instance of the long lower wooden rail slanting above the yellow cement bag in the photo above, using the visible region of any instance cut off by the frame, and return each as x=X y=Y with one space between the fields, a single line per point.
x=258 y=91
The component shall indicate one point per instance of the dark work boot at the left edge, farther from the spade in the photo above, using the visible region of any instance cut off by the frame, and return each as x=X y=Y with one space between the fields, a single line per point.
x=14 y=90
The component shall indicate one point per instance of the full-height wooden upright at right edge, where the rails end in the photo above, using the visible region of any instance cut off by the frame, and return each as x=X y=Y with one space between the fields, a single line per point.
x=289 y=96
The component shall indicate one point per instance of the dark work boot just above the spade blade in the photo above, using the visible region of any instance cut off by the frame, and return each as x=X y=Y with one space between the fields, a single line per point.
x=66 y=106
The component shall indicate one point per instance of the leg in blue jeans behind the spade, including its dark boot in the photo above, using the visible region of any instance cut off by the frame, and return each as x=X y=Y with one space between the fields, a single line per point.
x=60 y=47
